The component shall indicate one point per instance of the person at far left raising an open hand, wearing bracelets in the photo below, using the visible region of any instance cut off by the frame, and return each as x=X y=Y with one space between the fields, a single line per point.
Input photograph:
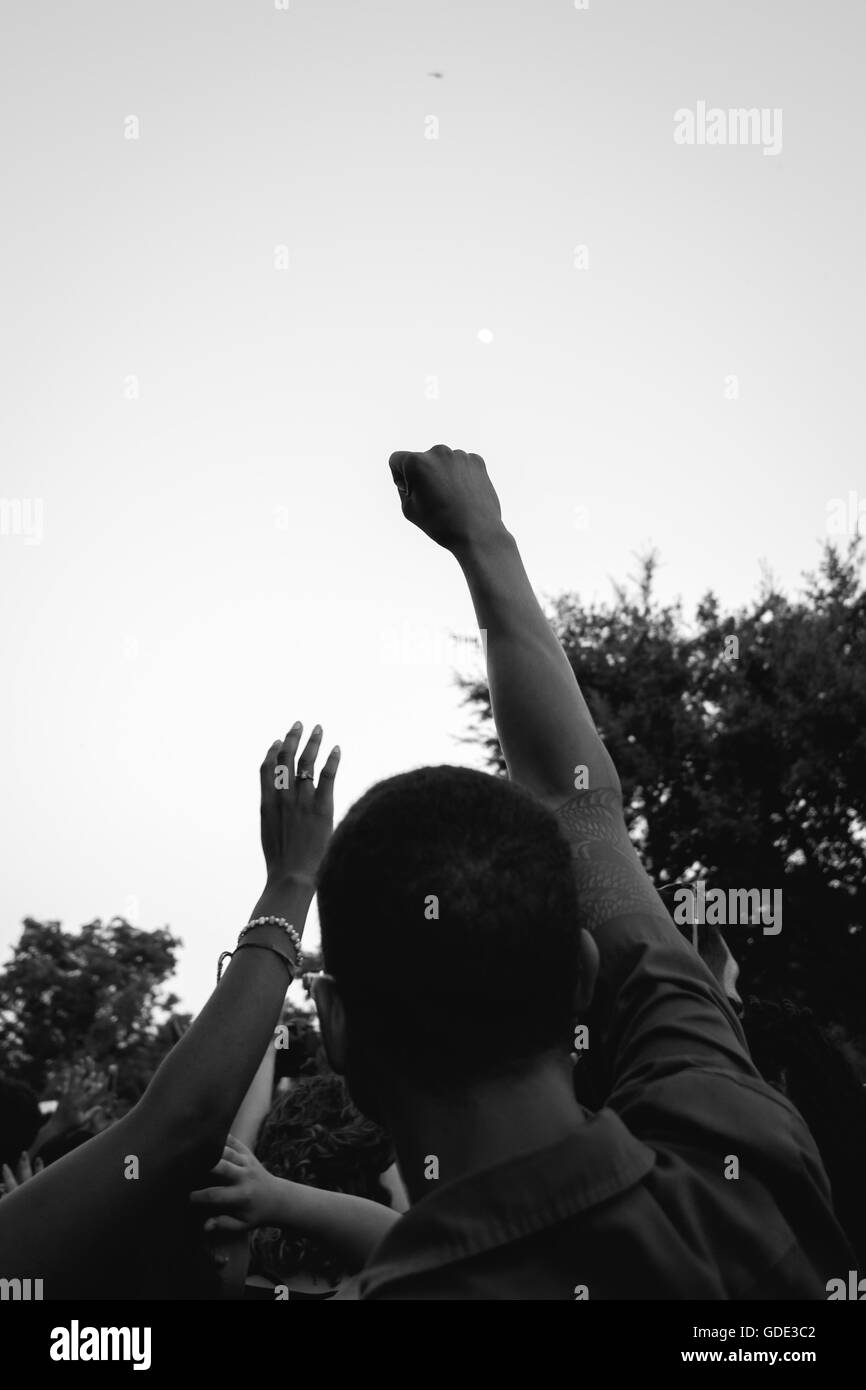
x=113 y=1218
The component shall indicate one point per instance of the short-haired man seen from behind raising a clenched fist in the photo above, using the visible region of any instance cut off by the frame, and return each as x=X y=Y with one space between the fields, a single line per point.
x=465 y=921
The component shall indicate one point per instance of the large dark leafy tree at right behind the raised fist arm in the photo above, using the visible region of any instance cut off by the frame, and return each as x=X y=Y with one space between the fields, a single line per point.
x=742 y=746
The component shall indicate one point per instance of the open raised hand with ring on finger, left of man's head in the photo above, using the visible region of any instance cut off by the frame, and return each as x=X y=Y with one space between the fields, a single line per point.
x=297 y=815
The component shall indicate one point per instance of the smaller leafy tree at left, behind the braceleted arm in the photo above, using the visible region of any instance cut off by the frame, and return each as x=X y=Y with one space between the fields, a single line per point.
x=92 y=1003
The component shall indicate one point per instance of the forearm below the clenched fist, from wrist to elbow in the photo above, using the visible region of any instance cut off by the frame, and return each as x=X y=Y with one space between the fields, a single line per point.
x=543 y=721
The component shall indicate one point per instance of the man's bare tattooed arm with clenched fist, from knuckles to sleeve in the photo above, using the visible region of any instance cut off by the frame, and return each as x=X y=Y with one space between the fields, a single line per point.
x=541 y=718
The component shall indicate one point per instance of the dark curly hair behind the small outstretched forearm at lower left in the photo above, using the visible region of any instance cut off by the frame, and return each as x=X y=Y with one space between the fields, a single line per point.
x=315 y=1136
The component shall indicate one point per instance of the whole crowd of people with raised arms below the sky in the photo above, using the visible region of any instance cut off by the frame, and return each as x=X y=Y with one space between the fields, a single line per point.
x=532 y=1084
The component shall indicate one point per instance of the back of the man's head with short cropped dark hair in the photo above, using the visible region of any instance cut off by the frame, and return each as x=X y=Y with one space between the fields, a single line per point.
x=450 y=935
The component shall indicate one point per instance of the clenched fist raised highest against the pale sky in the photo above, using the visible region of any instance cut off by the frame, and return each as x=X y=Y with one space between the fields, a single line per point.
x=448 y=496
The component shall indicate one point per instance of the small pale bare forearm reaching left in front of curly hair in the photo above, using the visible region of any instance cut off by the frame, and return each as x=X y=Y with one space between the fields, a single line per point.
x=351 y=1227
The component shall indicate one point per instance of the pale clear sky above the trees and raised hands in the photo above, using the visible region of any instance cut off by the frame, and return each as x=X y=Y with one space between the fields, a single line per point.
x=251 y=251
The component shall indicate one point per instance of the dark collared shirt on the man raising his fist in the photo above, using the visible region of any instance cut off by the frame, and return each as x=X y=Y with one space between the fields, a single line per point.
x=697 y=1181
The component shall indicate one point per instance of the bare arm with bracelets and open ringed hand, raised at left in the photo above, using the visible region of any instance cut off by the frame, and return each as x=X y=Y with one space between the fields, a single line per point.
x=104 y=1195
